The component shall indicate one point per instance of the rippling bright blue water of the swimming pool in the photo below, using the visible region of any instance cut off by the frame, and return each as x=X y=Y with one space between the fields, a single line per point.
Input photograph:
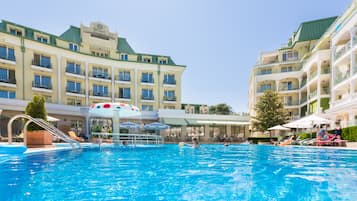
x=211 y=172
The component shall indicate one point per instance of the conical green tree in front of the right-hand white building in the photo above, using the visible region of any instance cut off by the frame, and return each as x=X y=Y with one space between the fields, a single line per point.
x=269 y=111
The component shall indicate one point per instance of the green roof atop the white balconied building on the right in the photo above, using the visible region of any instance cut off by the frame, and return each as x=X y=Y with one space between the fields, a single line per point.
x=312 y=30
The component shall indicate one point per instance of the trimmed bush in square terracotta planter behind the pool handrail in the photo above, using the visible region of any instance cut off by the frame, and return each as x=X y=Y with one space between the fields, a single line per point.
x=36 y=135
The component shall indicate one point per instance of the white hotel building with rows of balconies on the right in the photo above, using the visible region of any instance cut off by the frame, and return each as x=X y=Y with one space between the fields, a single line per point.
x=315 y=72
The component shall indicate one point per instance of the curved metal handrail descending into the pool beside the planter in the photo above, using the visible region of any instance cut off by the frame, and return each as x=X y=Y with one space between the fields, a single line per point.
x=40 y=122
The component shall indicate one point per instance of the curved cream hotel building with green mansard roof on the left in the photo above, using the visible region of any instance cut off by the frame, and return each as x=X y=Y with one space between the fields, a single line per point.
x=83 y=65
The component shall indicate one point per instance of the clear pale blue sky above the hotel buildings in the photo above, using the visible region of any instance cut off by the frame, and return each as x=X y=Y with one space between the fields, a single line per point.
x=218 y=40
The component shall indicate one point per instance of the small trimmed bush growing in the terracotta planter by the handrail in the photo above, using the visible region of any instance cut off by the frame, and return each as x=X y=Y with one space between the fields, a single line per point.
x=36 y=109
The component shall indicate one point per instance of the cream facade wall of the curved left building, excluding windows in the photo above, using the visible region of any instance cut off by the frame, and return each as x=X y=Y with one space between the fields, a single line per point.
x=60 y=55
